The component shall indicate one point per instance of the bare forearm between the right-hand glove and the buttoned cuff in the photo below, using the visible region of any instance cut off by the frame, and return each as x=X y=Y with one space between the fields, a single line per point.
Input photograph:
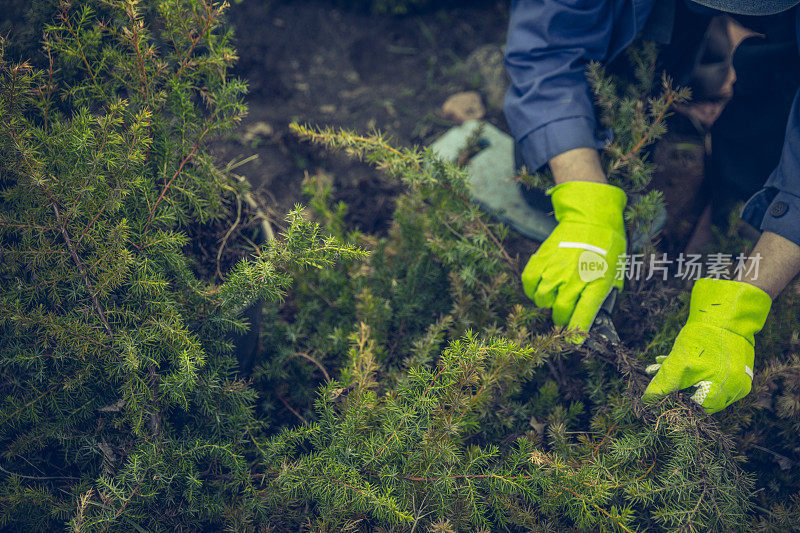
x=778 y=263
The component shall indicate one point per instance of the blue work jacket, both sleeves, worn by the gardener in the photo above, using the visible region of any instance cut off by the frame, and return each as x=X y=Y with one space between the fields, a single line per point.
x=549 y=106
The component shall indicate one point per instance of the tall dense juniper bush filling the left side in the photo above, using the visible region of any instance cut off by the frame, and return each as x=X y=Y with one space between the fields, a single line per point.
x=120 y=407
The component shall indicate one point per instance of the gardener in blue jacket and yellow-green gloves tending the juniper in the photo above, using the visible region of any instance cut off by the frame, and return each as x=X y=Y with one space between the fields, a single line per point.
x=550 y=113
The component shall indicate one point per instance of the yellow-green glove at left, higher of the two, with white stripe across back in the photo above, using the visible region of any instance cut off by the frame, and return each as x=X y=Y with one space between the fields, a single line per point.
x=574 y=269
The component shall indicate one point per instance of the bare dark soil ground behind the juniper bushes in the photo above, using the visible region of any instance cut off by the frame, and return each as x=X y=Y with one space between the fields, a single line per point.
x=310 y=62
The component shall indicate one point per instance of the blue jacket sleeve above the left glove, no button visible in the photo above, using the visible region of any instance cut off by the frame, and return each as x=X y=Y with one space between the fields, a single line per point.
x=549 y=107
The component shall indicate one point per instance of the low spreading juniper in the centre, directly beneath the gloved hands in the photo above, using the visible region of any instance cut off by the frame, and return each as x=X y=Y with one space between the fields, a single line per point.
x=478 y=425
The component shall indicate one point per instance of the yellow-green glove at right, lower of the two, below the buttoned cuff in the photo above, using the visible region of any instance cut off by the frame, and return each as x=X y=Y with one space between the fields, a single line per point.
x=715 y=349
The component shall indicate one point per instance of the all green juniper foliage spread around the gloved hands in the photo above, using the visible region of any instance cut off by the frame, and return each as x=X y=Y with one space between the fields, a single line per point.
x=413 y=388
